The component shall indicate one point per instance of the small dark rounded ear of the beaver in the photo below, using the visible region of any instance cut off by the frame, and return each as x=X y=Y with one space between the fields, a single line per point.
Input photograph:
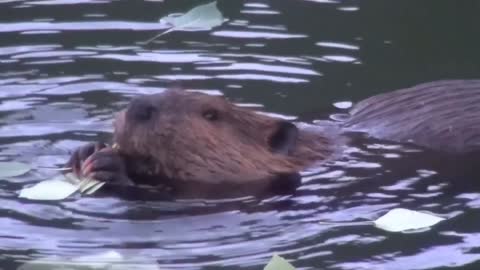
x=284 y=139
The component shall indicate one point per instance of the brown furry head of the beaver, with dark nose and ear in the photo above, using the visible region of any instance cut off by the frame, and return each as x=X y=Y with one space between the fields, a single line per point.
x=198 y=137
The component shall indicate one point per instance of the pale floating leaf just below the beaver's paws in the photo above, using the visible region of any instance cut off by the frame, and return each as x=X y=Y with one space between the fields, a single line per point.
x=54 y=189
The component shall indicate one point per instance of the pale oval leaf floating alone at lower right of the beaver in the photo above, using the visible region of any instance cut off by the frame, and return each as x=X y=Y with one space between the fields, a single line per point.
x=399 y=220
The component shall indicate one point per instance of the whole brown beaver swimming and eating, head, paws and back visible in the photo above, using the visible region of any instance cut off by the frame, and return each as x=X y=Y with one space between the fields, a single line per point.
x=184 y=138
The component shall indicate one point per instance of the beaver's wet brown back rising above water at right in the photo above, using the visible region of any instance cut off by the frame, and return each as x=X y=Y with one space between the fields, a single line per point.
x=441 y=115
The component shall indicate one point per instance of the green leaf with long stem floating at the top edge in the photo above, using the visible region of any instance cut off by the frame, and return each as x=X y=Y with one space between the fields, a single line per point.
x=203 y=17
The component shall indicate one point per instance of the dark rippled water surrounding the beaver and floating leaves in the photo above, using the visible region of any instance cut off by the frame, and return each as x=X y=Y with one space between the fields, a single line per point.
x=67 y=65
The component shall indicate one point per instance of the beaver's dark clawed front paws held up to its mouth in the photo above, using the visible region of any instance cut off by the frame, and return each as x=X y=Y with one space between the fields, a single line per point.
x=100 y=162
